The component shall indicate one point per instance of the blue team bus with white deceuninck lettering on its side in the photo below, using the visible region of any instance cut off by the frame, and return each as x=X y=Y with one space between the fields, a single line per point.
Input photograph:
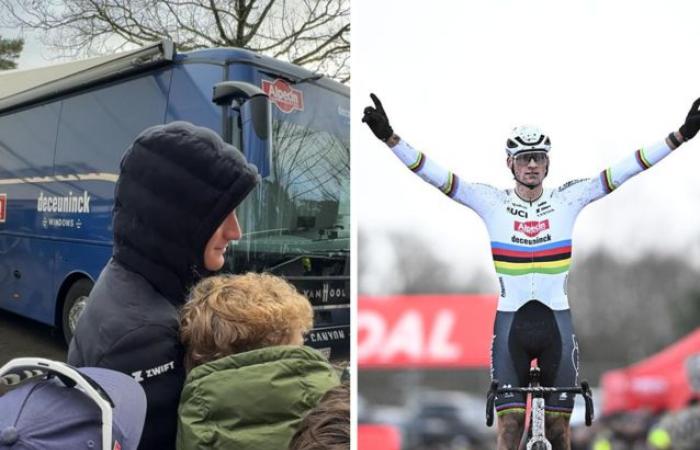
x=64 y=128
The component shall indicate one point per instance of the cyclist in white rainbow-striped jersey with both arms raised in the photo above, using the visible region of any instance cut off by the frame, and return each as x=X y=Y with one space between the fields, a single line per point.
x=530 y=228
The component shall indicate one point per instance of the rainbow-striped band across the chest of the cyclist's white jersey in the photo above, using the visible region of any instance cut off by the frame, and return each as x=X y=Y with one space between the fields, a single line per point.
x=517 y=260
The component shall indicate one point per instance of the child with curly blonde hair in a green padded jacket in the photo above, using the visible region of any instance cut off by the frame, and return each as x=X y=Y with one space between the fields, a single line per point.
x=250 y=379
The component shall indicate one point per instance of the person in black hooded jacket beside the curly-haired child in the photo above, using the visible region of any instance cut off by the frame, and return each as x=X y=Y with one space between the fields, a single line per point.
x=174 y=212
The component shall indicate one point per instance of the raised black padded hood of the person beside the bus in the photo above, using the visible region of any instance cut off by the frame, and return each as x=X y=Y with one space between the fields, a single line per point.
x=176 y=185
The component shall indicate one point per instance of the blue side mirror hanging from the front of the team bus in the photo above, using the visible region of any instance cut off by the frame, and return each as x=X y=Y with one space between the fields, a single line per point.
x=255 y=120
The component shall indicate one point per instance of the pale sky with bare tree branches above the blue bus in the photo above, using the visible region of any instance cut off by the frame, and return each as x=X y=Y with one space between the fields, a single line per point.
x=311 y=33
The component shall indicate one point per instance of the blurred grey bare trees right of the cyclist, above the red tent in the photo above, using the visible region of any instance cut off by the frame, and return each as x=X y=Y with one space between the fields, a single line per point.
x=627 y=310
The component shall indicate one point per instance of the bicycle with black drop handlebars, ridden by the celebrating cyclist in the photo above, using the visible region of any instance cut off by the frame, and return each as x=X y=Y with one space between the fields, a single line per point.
x=538 y=440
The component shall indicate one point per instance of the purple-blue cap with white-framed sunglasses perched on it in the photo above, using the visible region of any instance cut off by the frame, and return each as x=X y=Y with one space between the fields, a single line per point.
x=55 y=406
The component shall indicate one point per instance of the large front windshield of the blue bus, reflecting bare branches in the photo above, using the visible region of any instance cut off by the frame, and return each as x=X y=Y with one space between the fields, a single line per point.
x=297 y=222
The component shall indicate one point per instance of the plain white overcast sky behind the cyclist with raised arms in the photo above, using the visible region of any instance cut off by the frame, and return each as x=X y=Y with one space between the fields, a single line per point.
x=601 y=78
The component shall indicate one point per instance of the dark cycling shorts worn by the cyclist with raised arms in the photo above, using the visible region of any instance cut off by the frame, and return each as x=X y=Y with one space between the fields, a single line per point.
x=534 y=331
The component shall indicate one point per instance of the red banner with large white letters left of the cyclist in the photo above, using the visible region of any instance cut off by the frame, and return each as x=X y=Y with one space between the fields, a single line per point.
x=425 y=331
